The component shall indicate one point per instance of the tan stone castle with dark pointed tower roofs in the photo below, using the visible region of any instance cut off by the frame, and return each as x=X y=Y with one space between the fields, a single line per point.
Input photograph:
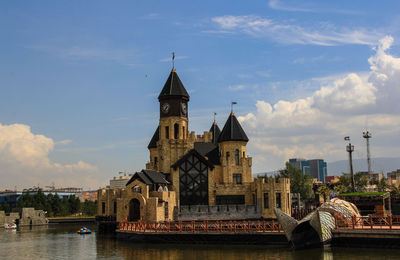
x=192 y=176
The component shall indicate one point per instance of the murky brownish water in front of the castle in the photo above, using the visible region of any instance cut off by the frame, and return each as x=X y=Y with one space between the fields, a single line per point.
x=62 y=242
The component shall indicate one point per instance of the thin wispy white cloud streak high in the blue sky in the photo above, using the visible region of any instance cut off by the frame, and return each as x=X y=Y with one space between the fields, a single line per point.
x=287 y=33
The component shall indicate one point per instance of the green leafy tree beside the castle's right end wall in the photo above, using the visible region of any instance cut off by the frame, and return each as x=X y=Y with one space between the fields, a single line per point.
x=299 y=182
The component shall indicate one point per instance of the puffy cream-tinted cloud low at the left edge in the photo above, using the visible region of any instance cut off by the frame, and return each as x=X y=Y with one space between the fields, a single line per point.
x=24 y=161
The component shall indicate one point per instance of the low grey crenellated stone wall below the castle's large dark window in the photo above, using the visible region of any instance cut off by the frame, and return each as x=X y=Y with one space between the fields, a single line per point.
x=217 y=212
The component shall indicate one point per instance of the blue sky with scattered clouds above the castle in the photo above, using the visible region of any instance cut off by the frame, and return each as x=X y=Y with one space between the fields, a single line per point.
x=79 y=81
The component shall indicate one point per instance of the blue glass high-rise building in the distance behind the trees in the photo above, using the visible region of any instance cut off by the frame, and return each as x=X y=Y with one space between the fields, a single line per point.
x=317 y=168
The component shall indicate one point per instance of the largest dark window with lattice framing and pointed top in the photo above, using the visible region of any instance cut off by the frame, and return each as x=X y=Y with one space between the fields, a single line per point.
x=193 y=182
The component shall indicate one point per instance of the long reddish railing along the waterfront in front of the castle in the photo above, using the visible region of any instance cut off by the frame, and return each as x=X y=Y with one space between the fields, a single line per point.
x=207 y=226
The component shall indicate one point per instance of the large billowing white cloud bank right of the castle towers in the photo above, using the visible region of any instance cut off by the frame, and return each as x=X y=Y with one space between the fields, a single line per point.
x=314 y=126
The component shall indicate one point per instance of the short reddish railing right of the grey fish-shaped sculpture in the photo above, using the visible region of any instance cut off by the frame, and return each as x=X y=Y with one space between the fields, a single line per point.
x=368 y=222
